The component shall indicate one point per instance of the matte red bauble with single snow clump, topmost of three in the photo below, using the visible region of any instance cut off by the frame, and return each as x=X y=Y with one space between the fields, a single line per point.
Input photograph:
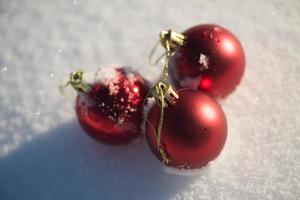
x=211 y=59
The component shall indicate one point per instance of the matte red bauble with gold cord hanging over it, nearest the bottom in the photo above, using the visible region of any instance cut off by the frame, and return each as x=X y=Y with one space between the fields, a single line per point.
x=193 y=133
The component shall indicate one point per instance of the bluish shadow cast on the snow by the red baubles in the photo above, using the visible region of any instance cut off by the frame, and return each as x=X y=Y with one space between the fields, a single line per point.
x=66 y=164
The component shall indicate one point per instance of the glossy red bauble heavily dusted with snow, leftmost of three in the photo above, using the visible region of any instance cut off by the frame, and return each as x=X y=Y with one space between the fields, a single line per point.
x=112 y=111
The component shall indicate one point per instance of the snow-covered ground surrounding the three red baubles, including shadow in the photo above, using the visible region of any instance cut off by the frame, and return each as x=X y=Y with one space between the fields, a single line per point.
x=44 y=154
